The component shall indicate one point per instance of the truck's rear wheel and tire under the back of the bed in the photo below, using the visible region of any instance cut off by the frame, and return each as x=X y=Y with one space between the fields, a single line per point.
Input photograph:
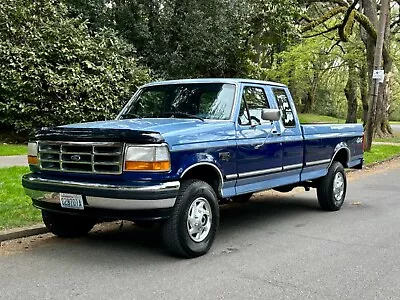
x=331 y=190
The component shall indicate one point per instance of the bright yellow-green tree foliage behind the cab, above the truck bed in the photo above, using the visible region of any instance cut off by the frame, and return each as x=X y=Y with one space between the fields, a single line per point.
x=314 y=71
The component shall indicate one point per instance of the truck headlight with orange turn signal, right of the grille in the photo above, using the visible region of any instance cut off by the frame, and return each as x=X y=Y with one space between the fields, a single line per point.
x=147 y=158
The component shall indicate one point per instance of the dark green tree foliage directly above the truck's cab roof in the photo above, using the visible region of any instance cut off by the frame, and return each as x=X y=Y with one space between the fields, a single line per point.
x=179 y=39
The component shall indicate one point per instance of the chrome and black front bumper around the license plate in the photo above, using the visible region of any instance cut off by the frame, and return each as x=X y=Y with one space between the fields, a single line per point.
x=140 y=196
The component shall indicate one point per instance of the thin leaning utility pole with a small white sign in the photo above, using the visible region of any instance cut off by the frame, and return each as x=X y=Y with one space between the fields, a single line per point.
x=378 y=75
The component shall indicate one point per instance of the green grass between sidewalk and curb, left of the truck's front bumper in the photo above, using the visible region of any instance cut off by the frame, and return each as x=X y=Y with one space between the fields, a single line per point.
x=15 y=207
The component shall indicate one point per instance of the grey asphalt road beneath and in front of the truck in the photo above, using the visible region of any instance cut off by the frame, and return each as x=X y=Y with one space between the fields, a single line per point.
x=275 y=247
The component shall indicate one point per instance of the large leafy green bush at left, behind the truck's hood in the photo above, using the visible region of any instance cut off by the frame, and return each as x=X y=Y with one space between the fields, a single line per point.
x=53 y=71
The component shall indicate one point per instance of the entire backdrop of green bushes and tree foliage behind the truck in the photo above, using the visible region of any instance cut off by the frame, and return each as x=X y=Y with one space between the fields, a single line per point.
x=80 y=60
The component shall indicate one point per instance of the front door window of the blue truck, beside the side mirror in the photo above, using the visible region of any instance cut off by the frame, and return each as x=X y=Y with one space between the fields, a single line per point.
x=253 y=101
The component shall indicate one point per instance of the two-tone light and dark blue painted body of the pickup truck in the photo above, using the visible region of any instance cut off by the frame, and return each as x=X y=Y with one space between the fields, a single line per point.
x=251 y=149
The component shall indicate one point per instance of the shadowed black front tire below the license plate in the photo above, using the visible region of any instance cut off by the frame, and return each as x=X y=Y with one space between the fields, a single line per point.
x=67 y=226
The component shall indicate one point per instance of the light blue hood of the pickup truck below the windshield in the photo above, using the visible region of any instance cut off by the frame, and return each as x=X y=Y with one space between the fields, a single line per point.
x=173 y=131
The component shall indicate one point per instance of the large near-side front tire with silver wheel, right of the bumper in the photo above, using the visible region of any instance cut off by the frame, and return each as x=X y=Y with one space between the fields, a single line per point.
x=190 y=231
